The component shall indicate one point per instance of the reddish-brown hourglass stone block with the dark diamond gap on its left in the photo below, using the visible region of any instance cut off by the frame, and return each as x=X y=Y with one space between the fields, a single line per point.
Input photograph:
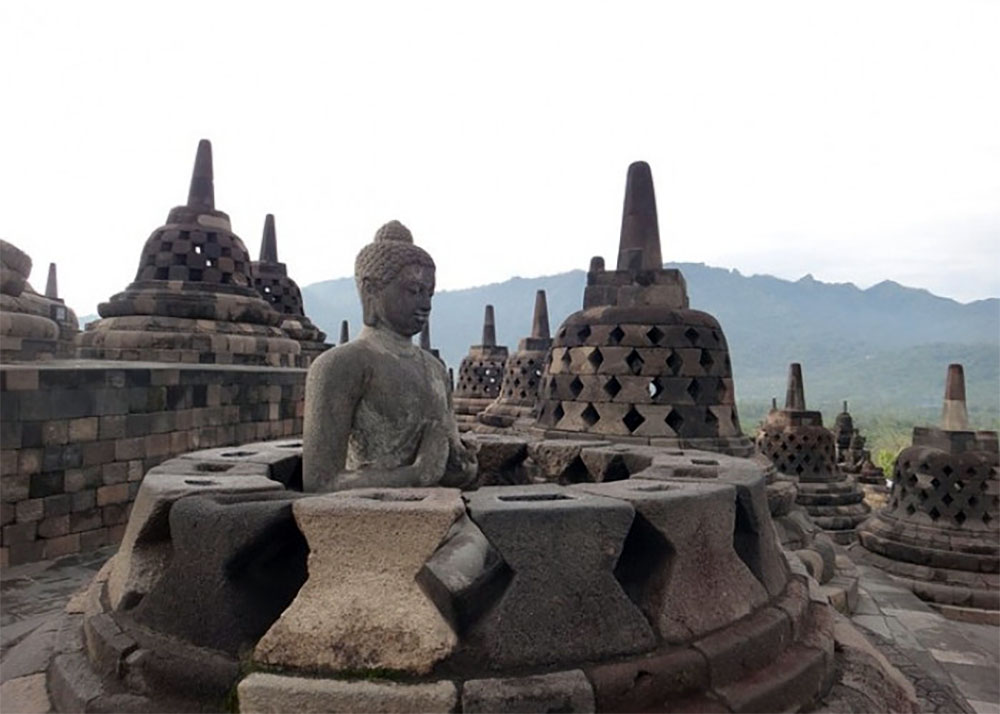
x=678 y=563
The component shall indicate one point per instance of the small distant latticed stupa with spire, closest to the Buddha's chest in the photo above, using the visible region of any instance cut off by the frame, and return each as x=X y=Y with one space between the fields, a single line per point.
x=480 y=375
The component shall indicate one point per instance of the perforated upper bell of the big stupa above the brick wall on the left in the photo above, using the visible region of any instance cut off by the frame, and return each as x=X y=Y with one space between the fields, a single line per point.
x=195 y=256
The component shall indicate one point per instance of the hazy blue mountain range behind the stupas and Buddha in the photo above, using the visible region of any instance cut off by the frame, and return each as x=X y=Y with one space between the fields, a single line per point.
x=883 y=347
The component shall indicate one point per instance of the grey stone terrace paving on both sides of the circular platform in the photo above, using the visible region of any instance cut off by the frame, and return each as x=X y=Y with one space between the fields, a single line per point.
x=954 y=653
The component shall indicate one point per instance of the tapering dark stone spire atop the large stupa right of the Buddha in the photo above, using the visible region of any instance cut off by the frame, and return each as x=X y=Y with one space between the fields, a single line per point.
x=639 y=245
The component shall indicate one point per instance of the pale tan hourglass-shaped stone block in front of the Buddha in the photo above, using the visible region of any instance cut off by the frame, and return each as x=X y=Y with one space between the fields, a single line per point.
x=366 y=547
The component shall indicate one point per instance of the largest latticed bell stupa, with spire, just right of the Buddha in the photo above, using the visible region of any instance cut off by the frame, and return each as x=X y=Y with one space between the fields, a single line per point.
x=637 y=362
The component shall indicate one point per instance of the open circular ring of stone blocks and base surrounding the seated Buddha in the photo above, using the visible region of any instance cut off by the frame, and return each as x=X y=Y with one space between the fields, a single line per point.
x=601 y=576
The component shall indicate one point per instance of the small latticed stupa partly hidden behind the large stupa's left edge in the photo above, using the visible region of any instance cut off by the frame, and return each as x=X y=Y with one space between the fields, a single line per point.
x=522 y=373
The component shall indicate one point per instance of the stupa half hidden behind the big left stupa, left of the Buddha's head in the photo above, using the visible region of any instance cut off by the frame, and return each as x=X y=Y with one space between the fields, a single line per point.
x=270 y=277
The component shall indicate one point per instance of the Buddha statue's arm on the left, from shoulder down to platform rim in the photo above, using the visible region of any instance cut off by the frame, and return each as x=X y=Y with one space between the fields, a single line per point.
x=334 y=386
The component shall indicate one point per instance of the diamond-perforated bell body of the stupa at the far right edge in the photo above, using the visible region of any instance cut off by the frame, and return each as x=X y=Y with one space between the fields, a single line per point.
x=933 y=487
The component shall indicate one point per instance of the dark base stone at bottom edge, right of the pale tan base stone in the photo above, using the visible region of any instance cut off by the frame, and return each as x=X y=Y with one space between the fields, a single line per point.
x=556 y=692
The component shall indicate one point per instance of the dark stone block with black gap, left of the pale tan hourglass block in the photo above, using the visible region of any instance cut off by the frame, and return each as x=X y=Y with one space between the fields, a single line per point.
x=237 y=563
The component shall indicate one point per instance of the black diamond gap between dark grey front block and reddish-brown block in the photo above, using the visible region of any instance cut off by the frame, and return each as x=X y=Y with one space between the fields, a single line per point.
x=644 y=565
